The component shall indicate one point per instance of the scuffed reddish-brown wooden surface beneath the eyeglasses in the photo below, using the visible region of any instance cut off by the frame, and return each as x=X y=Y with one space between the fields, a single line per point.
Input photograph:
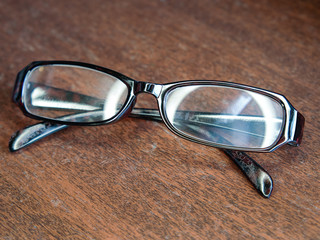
x=135 y=179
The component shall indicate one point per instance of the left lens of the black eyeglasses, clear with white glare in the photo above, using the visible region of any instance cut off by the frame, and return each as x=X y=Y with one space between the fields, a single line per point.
x=73 y=93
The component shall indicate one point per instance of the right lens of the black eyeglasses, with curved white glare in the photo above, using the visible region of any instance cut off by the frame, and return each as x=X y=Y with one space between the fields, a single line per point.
x=225 y=116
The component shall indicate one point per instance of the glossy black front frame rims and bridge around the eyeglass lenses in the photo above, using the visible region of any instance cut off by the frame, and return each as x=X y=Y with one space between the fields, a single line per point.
x=292 y=127
